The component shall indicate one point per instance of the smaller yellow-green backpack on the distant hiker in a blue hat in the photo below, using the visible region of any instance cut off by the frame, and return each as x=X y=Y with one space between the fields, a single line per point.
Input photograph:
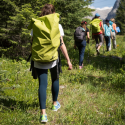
x=95 y=25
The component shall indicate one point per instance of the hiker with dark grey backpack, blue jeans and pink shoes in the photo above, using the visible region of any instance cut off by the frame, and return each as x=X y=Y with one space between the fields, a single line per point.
x=80 y=41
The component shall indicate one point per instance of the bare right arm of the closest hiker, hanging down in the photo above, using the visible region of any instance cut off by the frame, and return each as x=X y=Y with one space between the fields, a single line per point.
x=65 y=53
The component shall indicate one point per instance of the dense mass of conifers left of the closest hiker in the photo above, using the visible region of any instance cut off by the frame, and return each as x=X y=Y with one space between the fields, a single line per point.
x=15 y=16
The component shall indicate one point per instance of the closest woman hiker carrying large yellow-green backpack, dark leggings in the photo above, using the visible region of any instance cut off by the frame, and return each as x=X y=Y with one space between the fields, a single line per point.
x=46 y=33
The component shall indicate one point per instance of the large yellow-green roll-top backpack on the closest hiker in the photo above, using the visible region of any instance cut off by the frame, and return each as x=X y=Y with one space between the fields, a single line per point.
x=46 y=38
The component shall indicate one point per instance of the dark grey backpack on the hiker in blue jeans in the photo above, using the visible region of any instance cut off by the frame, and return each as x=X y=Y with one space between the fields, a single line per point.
x=79 y=34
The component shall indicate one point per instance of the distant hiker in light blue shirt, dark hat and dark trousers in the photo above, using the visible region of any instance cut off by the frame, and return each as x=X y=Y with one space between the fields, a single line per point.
x=107 y=33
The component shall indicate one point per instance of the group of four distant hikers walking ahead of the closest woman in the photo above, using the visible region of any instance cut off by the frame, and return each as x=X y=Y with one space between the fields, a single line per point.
x=99 y=31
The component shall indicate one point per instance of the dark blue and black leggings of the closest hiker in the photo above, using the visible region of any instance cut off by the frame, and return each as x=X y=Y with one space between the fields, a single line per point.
x=42 y=76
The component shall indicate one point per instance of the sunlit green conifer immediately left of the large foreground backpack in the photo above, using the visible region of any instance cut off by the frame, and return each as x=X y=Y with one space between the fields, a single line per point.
x=19 y=34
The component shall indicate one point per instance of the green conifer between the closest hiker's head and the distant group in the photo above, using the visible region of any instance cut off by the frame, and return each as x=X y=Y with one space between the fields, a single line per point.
x=72 y=13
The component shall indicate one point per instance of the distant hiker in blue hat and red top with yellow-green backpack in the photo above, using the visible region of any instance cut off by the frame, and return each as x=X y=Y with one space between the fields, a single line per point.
x=97 y=31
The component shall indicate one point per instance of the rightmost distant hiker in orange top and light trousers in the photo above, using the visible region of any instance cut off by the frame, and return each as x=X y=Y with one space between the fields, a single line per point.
x=112 y=22
